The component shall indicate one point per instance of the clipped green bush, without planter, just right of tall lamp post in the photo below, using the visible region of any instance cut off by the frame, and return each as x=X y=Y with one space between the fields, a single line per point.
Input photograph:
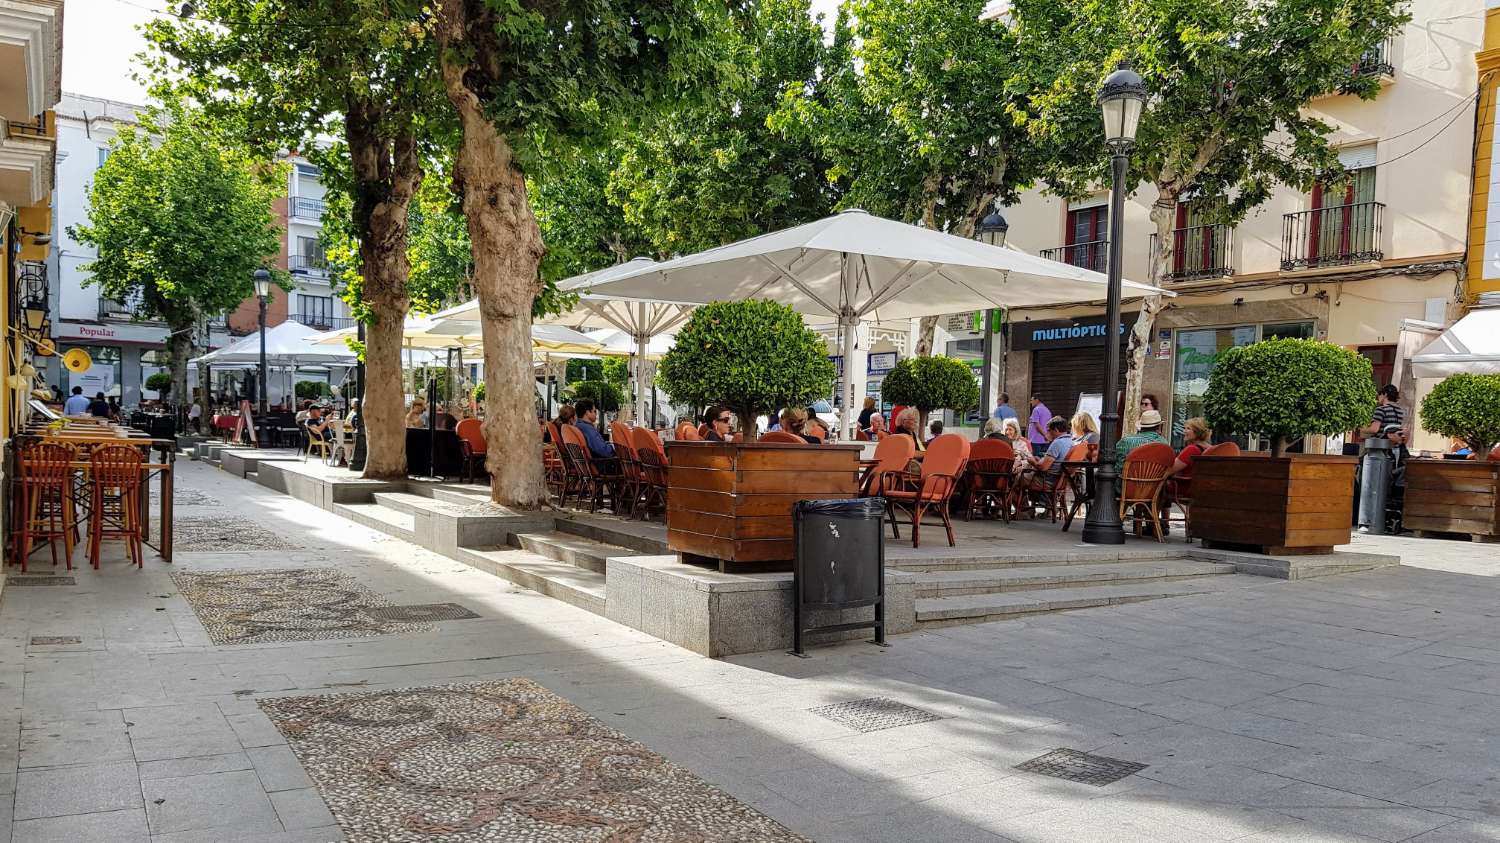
x=1285 y=389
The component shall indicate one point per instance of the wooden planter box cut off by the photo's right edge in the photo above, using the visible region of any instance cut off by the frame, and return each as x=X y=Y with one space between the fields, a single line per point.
x=1453 y=496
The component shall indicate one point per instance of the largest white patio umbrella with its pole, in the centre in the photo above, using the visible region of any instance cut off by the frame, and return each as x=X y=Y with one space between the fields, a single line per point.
x=856 y=266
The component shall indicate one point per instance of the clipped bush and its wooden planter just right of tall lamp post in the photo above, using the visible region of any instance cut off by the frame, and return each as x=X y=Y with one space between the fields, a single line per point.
x=1282 y=389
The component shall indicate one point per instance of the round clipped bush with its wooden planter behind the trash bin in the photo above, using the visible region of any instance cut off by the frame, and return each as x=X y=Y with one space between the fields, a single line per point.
x=733 y=502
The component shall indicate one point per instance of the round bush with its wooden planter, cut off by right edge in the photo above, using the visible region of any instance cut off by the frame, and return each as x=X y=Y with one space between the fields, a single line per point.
x=1459 y=496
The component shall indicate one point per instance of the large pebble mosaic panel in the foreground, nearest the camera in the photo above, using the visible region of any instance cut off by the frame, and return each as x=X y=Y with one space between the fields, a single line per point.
x=505 y=761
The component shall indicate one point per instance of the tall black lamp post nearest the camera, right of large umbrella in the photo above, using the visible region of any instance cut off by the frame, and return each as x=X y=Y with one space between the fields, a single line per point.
x=1123 y=101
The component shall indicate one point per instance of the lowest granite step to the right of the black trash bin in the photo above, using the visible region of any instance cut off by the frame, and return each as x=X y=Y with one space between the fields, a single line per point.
x=980 y=608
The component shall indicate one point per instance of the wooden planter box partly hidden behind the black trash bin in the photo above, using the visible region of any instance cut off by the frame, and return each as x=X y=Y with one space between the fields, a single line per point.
x=731 y=505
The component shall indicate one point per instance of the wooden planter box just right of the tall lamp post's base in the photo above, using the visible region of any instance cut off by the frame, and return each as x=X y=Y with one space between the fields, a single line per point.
x=1280 y=506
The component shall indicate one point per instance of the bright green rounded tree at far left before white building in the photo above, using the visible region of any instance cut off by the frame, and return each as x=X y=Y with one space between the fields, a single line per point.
x=181 y=218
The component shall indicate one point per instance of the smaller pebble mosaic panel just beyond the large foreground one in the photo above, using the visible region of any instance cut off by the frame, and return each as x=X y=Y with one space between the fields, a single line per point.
x=286 y=605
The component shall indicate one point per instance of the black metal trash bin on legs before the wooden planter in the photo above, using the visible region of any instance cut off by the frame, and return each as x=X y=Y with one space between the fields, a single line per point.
x=839 y=565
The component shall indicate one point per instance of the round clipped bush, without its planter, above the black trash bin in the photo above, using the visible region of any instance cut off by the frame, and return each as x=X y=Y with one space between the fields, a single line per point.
x=751 y=356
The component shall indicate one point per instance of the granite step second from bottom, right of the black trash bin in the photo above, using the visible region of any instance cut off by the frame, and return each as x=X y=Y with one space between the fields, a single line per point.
x=1033 y=578
